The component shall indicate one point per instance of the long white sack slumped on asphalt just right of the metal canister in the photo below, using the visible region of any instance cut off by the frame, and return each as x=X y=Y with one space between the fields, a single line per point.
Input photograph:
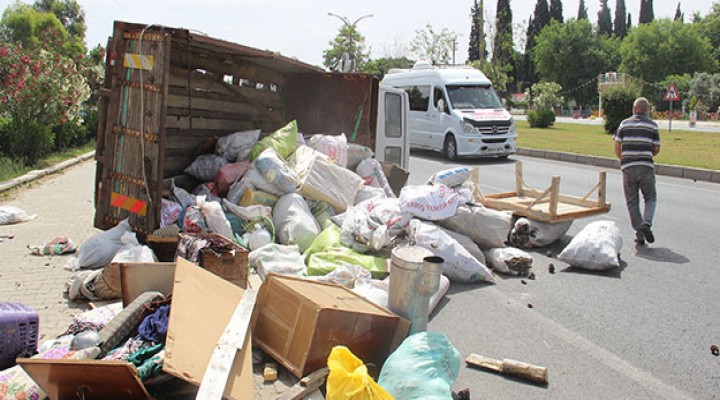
x=460 y=265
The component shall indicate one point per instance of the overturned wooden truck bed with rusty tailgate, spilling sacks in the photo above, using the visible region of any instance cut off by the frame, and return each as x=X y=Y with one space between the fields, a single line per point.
x=167 y=91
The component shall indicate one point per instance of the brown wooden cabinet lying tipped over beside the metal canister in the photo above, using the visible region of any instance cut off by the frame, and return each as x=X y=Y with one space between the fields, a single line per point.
x=299 y=321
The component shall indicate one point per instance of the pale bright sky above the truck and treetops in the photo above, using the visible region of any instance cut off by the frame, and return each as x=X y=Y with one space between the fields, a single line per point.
x=303 y=29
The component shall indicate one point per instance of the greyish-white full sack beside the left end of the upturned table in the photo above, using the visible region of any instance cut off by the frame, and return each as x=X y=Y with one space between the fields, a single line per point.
x=486 y=227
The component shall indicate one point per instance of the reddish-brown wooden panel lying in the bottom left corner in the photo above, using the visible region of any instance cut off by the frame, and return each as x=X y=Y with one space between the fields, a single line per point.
x=91 y=379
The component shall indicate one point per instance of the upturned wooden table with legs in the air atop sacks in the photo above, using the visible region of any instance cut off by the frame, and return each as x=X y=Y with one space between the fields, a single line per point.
x=548 y=205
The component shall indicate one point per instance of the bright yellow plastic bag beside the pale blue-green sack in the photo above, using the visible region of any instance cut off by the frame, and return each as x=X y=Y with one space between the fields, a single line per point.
x=349 y=379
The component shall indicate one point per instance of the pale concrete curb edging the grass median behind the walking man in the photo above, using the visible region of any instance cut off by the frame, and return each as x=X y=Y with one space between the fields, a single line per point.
x=697 y=174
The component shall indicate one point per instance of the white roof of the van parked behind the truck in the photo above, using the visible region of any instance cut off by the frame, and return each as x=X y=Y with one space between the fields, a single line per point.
x=426 y=73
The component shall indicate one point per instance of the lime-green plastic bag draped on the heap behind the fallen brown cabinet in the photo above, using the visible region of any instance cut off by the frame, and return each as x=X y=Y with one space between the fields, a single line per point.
x=324 y=262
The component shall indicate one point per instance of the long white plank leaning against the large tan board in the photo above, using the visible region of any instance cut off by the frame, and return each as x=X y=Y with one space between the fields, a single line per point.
x=218 y=369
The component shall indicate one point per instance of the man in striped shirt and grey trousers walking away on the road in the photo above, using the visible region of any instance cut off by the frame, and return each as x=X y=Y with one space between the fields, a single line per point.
x=637 y=140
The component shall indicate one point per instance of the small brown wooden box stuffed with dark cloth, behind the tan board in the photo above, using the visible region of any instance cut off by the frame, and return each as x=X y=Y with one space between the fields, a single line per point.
x=232 y=266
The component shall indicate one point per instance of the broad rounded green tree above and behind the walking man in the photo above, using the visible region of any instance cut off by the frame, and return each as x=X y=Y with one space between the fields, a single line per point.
x=655 y=50
